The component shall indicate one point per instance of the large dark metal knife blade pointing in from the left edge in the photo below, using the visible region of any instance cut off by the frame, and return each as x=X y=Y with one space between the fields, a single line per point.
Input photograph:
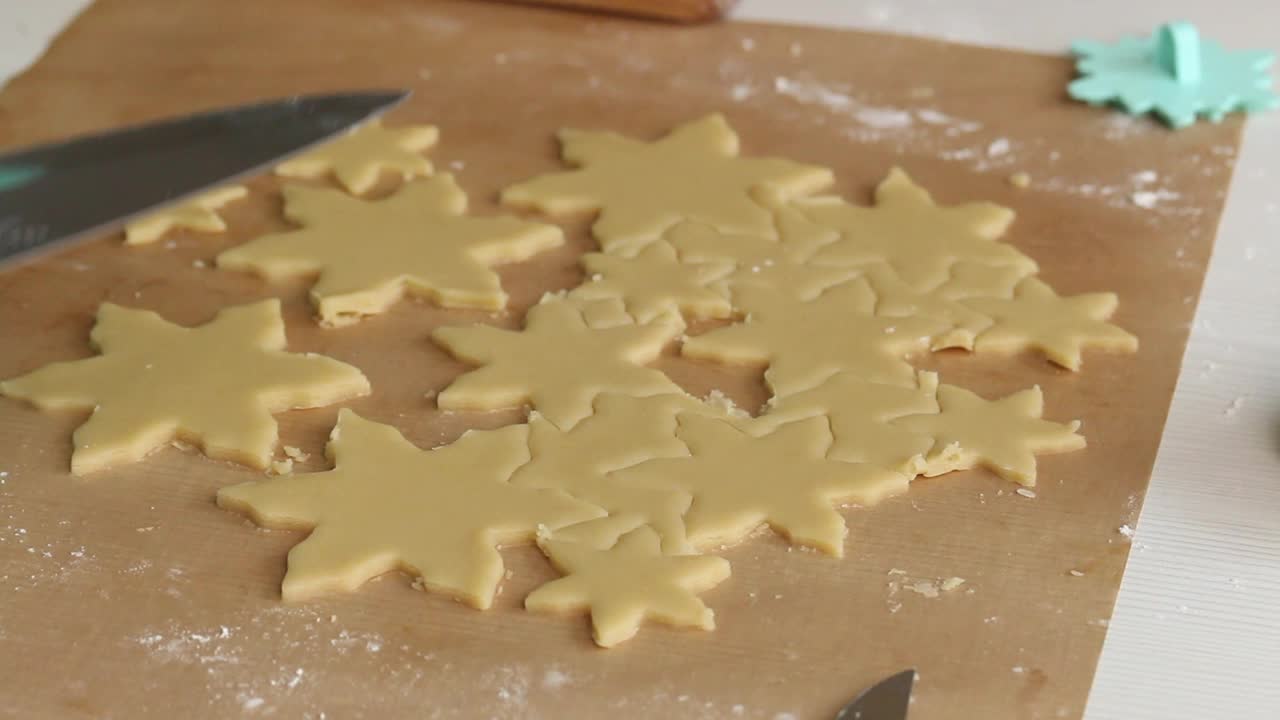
x=62 y=192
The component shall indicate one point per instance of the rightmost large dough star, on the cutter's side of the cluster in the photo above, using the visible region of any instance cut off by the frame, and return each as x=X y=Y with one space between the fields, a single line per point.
x=920 y=240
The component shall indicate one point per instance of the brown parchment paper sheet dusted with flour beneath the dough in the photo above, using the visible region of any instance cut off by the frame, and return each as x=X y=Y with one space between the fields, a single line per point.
x=131 y=595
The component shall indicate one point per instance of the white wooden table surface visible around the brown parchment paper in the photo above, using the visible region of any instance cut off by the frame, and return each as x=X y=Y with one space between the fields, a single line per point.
x=1197 y=628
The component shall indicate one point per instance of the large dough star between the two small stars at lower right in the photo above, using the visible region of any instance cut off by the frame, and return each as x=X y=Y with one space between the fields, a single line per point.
x=783 y=479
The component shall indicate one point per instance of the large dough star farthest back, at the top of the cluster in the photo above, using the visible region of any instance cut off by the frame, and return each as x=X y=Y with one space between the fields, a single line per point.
x=643 y=189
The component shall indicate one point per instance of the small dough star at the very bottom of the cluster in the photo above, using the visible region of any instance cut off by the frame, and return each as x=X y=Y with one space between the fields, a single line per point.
x=627 y=585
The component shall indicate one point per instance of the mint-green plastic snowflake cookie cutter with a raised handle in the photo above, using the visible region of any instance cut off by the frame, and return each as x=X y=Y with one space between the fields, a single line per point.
x=1174 y=74
